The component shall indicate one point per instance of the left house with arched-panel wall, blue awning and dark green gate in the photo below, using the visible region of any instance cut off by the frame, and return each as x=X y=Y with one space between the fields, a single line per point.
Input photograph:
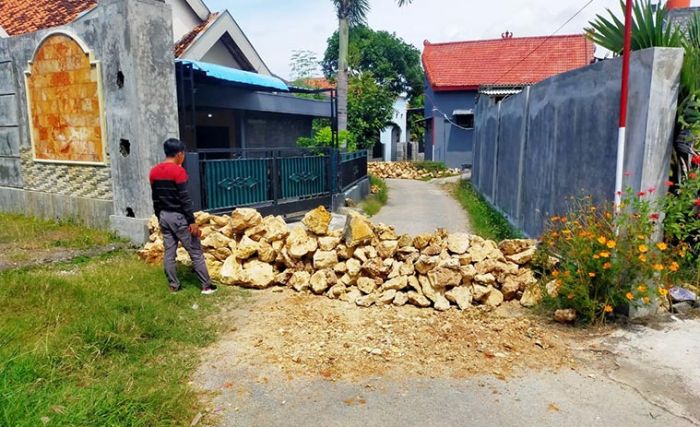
x=90 y=90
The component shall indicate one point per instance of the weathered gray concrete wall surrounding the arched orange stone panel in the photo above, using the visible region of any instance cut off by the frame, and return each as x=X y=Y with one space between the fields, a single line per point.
x=132 y=37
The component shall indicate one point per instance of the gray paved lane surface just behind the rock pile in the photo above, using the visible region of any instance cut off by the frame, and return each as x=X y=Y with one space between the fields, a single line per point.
x=420 y=207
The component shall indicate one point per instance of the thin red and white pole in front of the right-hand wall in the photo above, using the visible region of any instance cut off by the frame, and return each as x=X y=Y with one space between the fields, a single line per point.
x=624 y=94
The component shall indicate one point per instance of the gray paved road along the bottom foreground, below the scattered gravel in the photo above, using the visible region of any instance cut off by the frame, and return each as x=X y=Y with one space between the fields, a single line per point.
x=543 y=399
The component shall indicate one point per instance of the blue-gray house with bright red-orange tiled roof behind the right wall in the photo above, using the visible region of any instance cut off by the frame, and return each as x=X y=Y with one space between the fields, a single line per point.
x=456 y=73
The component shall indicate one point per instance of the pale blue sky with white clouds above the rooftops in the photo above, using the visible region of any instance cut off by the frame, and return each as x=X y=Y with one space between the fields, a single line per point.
x=278 y=27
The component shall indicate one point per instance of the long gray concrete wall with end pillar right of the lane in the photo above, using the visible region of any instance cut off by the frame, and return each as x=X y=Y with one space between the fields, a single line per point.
x=568 y=144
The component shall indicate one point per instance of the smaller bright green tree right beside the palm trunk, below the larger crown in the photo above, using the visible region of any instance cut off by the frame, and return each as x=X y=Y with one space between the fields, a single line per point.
x=370 y=107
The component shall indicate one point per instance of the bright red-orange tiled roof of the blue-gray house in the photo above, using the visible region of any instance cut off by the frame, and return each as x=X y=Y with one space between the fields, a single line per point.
x=503 y=62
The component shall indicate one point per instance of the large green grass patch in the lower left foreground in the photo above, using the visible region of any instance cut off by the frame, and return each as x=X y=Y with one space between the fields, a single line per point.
x=99 y=342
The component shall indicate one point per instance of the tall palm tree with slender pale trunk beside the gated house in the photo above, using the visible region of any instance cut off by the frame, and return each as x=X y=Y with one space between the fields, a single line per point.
x=350 y=12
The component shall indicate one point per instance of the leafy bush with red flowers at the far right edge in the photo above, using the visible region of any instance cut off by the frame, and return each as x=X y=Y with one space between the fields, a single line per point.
x=682 y=220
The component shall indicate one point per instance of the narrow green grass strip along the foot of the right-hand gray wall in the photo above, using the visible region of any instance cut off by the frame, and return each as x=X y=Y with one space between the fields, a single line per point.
x=486 y=221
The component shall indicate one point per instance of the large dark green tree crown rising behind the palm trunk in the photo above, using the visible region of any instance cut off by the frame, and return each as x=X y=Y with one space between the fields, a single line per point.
x=393 y=62
